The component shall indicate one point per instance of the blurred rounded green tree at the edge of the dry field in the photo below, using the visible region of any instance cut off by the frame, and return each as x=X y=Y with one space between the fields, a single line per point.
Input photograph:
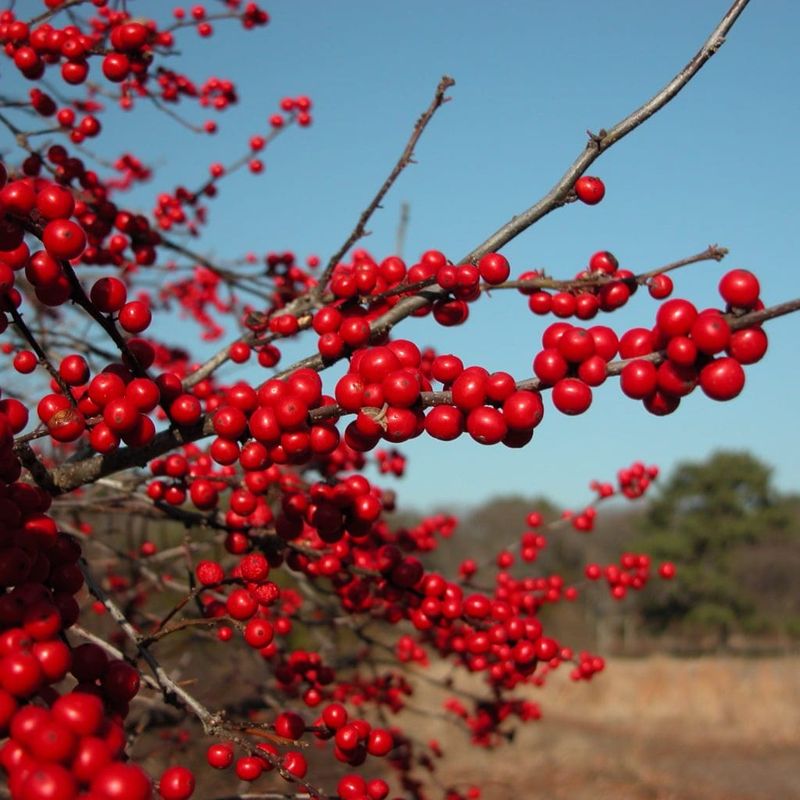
x=704 y=516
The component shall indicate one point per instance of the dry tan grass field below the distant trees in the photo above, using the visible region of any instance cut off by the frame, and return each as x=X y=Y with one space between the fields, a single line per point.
x=658 y=728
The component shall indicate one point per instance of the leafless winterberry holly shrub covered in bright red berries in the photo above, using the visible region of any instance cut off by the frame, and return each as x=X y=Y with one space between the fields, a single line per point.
x=288 y=557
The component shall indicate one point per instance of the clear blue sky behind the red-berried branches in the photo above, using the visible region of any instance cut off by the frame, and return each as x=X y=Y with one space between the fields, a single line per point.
x=719 y=164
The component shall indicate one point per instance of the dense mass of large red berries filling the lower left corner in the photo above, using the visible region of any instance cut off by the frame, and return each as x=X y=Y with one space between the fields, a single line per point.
x=58 y=742
